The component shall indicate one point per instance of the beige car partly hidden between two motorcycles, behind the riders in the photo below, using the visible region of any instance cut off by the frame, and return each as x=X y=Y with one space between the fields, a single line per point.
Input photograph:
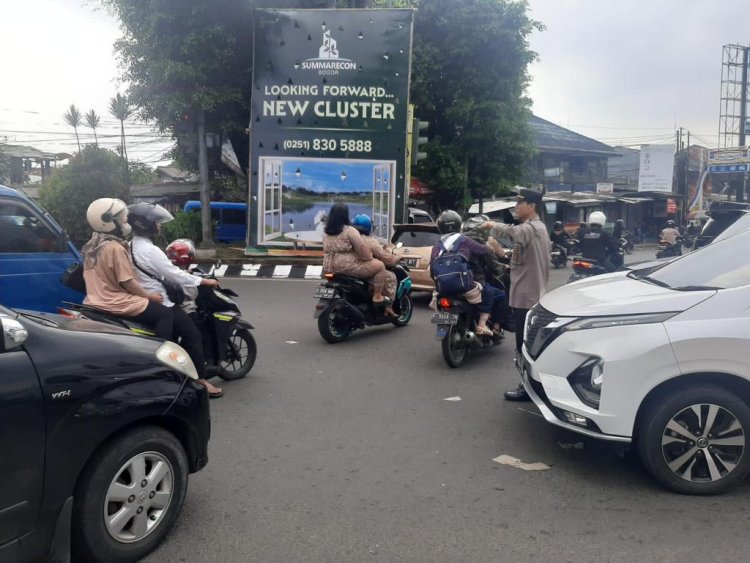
x=417 y=241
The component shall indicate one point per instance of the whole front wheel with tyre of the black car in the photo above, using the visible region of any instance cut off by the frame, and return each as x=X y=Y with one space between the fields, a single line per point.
x=129 y=496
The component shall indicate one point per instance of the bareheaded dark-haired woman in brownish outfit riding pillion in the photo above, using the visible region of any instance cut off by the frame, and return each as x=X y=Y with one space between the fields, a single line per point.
x=344 y=252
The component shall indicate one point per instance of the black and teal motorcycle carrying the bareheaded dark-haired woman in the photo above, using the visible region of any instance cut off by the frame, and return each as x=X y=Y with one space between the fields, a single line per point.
x=345 y=305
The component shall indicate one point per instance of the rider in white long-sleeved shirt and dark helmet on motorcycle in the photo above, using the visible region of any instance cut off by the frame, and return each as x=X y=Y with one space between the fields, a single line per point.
x=153 y=268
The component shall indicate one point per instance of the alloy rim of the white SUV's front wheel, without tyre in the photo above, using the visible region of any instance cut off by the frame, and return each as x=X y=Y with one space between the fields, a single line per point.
x=703 y=443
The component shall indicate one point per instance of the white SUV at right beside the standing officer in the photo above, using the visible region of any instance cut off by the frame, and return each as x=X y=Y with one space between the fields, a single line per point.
x=659 y=357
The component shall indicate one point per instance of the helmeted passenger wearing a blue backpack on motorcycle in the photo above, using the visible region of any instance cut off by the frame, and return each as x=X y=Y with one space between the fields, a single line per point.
x=449 y=225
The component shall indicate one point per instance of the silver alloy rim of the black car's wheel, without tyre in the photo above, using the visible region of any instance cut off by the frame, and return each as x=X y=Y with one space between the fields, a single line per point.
x=138 y=497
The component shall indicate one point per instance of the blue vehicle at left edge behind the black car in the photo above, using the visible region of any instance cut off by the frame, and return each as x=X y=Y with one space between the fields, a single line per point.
x=34 y=252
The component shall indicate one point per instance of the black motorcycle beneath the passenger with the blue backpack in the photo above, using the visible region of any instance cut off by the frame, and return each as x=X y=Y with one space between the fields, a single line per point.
x=456 y=321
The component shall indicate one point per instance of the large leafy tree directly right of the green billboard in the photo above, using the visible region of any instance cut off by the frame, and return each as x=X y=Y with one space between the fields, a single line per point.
x=469 y=79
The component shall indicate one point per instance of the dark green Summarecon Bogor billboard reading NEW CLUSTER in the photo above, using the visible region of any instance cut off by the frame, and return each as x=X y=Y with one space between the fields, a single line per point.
x=328 y=120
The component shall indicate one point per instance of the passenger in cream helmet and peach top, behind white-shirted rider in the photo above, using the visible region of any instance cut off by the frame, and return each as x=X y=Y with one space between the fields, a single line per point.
x=111 y=284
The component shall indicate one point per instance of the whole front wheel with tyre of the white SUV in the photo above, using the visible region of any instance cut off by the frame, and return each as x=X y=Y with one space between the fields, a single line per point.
x=696 y=440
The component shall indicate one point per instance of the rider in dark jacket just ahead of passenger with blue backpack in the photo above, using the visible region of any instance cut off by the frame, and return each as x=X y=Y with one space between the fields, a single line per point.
x=487 y=271
